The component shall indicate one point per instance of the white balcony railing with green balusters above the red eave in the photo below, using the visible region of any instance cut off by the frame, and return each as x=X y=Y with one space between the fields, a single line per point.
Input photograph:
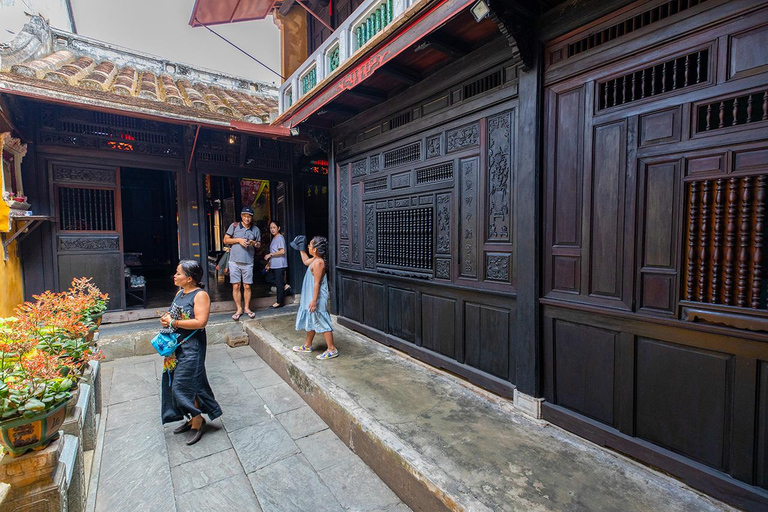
x=358 y=32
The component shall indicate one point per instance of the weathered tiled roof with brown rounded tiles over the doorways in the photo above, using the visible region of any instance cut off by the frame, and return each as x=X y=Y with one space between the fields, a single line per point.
x=69 y=67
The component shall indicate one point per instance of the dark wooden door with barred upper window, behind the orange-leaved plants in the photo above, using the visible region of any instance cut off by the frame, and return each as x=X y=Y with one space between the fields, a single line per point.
x=88 y=231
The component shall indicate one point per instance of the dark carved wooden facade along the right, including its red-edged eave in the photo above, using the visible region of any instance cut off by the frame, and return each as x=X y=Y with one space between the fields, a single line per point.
x=565 y=203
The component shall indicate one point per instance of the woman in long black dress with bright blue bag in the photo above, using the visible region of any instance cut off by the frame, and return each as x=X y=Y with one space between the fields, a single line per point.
x=186 y=393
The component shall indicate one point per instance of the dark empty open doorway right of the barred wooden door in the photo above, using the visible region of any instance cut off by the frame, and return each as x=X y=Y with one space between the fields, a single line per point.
x=150 y=236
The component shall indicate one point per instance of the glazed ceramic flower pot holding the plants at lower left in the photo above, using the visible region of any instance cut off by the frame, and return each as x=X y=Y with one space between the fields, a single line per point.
x=19 y=435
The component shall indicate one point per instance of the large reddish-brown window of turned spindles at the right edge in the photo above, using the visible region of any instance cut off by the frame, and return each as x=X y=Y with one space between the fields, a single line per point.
x=725 y=262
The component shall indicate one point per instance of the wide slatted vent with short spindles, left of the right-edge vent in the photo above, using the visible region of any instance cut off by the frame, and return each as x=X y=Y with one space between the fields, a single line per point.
x=671 y=75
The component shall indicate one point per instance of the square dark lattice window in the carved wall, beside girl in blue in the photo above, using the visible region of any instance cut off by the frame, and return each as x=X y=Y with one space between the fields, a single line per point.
x=404 y=238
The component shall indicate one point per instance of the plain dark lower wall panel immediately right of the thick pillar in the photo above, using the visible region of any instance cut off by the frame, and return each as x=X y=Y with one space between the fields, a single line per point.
x=584 y=369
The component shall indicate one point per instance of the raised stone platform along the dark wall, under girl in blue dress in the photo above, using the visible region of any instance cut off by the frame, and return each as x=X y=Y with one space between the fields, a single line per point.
x=442 y=444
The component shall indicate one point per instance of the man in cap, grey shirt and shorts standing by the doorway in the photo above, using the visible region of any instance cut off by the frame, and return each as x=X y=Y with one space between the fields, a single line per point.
x=244 y=238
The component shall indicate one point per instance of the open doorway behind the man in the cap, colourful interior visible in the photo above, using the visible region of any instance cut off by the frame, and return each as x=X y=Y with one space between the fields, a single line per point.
x=224 y=199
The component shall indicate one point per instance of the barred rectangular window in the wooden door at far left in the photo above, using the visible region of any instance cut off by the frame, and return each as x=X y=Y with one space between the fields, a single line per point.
x=86 y=209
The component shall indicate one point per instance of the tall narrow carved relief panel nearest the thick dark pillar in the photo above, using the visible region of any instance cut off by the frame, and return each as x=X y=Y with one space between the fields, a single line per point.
x=499 y=178
